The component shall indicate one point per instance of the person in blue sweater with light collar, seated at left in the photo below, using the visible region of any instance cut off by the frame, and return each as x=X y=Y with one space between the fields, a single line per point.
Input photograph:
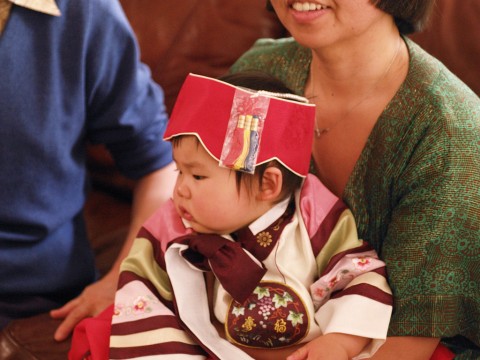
x=71 y=75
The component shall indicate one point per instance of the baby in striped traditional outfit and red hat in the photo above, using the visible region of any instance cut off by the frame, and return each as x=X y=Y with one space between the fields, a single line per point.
x=253 y=257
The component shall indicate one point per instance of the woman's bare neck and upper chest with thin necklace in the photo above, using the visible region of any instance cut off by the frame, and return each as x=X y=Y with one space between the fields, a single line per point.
x=351 y=86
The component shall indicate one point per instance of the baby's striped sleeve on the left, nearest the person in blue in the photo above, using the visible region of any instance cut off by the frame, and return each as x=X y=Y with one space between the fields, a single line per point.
x=144 y=324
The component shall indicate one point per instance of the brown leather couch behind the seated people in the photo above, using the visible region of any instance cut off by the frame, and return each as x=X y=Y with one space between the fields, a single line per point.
x=206 y=37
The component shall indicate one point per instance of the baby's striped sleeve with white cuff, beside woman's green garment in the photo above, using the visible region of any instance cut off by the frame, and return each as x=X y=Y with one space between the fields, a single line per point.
x=352 y=295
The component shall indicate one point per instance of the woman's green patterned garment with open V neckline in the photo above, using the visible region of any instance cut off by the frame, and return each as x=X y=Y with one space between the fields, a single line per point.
x=414 y=192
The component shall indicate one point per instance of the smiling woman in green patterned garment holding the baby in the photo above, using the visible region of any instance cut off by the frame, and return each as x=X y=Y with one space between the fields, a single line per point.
x=397 y=137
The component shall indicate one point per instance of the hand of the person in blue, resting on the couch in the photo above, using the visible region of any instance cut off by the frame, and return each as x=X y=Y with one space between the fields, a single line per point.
x=92 y=301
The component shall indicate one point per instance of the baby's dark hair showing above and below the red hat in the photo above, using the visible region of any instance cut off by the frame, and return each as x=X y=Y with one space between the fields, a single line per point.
x=256 y=80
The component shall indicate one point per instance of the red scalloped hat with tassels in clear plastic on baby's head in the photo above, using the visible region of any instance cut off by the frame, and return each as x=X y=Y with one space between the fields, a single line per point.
x=215 y=111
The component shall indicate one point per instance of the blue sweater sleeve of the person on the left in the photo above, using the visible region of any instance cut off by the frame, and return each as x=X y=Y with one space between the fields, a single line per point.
x=126 y=109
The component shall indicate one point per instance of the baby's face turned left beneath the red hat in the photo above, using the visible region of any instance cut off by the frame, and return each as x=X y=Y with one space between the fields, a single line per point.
x=206 y=195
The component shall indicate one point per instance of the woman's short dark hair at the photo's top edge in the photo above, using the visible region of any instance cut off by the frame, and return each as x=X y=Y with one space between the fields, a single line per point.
x=410 y=15
